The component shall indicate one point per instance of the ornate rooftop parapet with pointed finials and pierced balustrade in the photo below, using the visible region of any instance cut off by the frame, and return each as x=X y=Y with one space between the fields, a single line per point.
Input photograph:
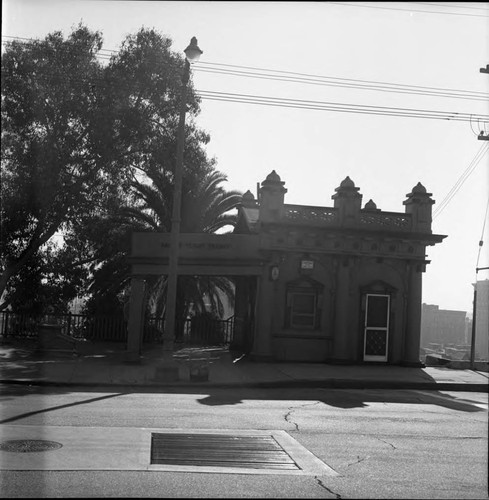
x=296 y=225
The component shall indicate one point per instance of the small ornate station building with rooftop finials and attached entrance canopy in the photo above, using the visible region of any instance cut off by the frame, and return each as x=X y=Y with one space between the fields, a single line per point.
x=338 y=284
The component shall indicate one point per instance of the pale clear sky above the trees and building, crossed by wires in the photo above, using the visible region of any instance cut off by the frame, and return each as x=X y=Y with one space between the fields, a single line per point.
x=434 y=48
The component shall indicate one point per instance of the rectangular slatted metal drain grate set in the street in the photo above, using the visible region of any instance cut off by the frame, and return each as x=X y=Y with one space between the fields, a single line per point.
x=217 y=450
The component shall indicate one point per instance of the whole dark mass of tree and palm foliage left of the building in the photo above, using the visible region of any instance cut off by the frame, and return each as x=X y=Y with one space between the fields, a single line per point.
x=88 y=152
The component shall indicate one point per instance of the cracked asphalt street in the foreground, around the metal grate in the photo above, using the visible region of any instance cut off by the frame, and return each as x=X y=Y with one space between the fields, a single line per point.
x=373 y=443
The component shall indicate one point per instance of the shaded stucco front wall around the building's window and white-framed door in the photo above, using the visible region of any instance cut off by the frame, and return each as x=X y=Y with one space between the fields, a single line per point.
x=340 y=333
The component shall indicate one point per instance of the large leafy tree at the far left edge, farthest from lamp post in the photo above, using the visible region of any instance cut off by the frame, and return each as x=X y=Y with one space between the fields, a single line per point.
x=57 y=164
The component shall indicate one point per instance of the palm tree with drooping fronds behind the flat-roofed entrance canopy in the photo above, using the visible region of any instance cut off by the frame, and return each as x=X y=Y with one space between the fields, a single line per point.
x=206 y=208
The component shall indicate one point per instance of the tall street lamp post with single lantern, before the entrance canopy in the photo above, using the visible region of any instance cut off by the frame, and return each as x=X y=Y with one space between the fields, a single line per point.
x=192 y=54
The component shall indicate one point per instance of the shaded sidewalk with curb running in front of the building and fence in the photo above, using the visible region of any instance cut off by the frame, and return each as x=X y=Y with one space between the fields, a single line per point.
x=99 y=365
